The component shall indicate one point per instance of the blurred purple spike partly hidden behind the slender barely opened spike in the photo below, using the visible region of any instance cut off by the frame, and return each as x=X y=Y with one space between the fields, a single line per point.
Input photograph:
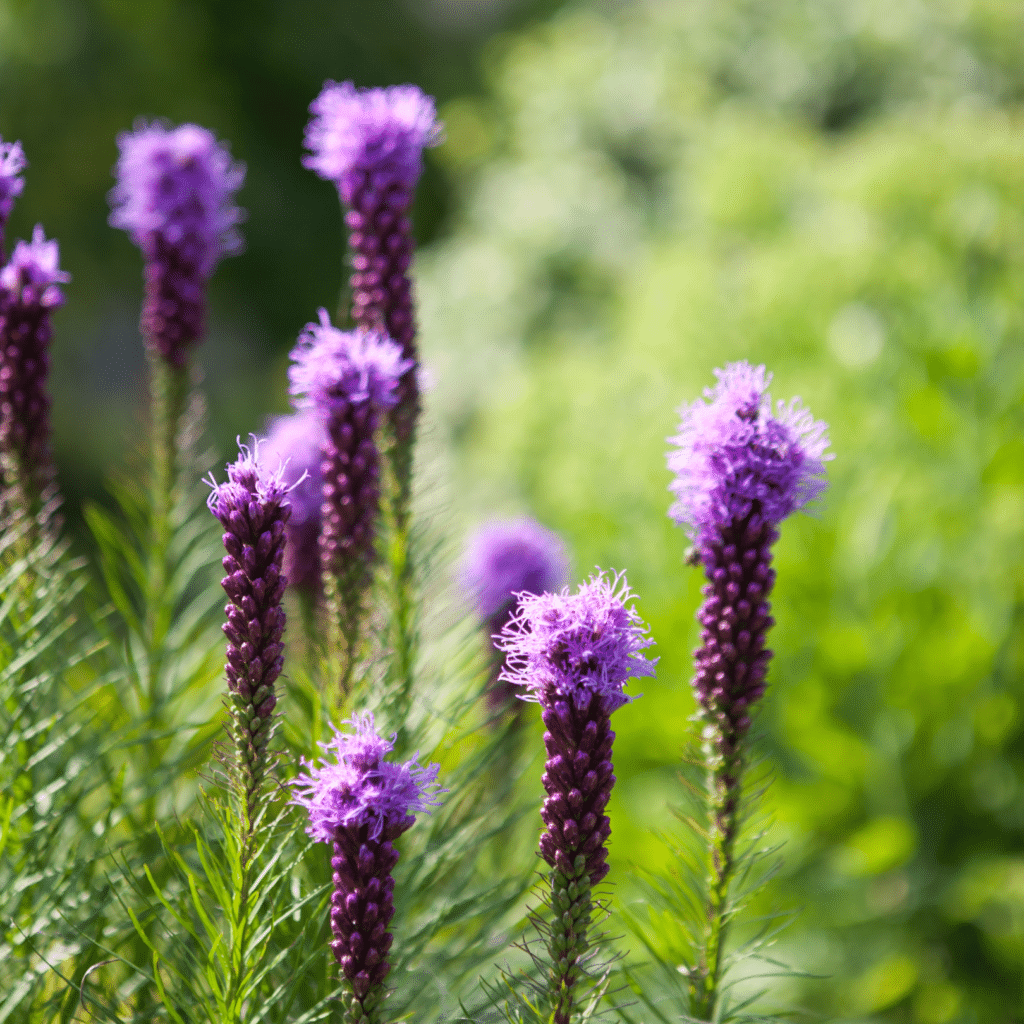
x=295 y=445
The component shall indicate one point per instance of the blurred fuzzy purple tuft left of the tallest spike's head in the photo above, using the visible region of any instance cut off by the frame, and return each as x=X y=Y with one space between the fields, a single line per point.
x=178 y=186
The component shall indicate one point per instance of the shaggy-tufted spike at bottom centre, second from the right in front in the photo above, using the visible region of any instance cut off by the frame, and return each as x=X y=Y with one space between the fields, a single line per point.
x=574 y=654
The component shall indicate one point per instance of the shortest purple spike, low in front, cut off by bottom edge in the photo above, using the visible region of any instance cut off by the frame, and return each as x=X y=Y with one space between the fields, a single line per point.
x=362 y=803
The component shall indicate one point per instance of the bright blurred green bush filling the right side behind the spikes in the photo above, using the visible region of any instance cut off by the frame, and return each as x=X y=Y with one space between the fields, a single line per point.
x=664 y=189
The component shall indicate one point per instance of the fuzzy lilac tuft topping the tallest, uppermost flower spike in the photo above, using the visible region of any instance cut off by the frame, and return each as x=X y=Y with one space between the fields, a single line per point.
x=378 y=133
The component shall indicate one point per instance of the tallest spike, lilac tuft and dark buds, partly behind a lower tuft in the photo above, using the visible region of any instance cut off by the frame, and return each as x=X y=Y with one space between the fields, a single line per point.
x=370 y=144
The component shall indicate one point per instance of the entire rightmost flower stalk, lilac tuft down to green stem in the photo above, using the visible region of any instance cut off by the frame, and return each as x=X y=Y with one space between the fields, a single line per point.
x=741 y=470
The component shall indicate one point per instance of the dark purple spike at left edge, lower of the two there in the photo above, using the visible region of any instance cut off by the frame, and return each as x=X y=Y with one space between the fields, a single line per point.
x=29 y=292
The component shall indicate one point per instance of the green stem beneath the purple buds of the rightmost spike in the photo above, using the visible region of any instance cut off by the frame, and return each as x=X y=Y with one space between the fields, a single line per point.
x=724 y=779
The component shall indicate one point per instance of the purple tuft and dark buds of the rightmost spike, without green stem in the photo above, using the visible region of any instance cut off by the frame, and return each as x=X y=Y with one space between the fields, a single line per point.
x=741 y=470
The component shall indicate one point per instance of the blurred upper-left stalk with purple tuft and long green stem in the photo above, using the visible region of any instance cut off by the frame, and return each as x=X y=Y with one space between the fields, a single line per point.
x=175 y=196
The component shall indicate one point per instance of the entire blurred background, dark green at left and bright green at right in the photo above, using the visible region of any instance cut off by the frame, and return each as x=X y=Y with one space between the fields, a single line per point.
x=629 y=196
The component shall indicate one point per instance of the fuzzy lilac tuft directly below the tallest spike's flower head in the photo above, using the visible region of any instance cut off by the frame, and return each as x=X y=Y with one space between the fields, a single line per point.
x=334 y=370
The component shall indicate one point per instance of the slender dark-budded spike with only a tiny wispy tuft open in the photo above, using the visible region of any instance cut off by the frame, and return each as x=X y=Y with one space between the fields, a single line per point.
x=253 y=508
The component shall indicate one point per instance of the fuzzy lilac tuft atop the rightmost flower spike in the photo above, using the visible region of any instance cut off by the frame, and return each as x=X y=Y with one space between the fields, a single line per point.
x=734 y=455
